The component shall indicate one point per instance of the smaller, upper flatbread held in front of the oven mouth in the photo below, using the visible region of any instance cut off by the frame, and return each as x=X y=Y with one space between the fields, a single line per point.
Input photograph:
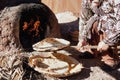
x=51 y=44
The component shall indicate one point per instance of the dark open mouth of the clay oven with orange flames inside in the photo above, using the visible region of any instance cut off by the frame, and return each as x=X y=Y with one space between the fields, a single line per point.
x=32 y=27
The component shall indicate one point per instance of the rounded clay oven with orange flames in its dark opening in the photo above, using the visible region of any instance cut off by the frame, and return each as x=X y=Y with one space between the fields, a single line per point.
x=15 y=15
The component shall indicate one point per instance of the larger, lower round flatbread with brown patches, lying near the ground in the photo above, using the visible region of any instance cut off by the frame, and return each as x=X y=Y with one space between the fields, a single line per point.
x=55 y=64
